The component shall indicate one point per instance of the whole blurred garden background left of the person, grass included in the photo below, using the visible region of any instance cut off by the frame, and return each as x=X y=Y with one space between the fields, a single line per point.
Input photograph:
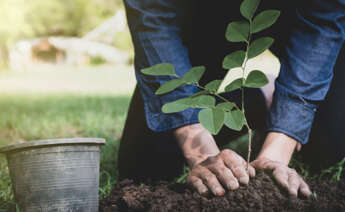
x=65 y=71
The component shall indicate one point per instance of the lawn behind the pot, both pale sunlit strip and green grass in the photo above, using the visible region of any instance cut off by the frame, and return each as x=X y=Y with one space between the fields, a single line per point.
x=64 y=103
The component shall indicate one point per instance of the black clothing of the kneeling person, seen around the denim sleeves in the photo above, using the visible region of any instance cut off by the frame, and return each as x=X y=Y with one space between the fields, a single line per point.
x=145 y=154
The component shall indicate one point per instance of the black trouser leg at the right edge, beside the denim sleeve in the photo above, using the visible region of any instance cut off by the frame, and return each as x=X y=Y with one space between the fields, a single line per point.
x=327 y=140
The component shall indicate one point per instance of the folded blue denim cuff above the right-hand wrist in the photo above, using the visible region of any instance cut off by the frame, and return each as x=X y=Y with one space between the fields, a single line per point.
x=291 y=114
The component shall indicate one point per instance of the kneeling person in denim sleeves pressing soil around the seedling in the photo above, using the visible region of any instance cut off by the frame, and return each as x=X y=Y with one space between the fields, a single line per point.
x=308 y=101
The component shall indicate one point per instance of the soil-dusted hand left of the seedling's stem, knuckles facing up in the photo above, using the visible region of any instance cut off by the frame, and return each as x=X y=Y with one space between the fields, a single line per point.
x=225 y=170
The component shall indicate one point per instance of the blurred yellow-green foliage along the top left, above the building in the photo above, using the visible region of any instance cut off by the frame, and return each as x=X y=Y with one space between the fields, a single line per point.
x=21 y=19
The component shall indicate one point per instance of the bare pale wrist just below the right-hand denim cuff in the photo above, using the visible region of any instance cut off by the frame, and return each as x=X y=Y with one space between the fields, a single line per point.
x=278 y=147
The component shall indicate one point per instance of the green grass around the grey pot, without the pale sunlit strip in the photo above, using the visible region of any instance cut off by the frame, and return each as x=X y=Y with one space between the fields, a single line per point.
x=31 y=117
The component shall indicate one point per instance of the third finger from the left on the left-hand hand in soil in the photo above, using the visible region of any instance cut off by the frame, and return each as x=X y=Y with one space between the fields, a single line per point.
x=225 y=176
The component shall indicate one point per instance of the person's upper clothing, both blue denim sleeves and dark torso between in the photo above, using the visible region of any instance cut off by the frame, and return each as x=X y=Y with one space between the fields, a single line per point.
x=309 y=37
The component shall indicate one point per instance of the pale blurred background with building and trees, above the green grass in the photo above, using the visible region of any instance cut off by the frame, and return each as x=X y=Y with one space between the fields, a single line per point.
x=43 y=42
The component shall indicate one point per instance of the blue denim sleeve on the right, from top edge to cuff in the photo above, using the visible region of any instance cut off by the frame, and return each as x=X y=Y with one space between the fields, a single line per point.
x=307 y=67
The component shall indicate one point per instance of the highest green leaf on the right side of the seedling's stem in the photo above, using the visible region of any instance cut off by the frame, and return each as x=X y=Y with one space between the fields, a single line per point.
x=264 y=20
